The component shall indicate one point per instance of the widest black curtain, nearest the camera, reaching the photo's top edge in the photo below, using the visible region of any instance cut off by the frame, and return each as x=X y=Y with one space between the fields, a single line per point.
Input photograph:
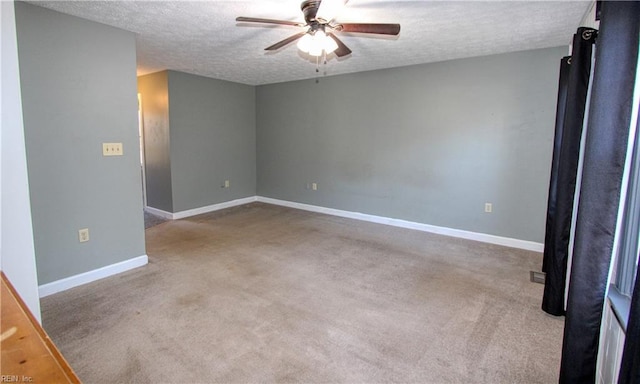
x=604 y=159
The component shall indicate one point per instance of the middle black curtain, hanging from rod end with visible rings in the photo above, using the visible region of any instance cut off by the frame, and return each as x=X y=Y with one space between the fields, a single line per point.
x=567 y=153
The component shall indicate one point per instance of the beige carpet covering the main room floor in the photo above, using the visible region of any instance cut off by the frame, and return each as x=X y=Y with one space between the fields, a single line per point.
x=261 y=294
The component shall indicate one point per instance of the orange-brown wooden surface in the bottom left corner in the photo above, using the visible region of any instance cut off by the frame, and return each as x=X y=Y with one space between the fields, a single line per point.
x=28 y=354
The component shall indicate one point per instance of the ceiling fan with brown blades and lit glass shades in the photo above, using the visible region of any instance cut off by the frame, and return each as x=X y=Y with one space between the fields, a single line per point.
x=319 y=39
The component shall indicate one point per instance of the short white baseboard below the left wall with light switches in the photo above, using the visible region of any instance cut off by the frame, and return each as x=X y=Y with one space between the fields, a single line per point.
x=87 y=277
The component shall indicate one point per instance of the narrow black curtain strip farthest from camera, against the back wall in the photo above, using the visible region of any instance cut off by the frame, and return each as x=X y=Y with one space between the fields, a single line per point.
x=555 y=160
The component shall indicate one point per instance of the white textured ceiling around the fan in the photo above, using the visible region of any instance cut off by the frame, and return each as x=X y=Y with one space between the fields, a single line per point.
x=203 y=37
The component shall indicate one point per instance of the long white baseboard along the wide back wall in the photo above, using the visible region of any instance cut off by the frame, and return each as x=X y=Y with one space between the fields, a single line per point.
x=482 y=237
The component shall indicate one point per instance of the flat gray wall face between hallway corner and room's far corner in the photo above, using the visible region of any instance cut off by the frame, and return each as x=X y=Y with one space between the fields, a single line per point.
x=213 y=139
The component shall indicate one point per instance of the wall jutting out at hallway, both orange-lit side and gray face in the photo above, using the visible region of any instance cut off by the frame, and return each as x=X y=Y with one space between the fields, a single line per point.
x=199 y=132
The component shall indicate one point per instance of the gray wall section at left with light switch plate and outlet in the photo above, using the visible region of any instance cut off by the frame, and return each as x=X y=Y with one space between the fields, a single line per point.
x=78 y=82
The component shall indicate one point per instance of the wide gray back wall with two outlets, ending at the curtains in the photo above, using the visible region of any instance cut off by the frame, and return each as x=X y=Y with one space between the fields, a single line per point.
x=429 y=143
